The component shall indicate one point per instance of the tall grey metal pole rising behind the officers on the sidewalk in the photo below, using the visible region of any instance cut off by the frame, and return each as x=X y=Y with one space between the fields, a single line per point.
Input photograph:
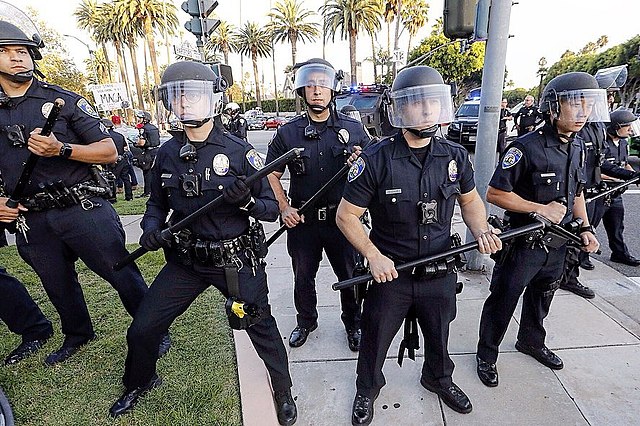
x=489 y=116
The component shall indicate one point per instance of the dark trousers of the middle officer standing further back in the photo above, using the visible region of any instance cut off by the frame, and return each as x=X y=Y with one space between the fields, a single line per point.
x=305 y=244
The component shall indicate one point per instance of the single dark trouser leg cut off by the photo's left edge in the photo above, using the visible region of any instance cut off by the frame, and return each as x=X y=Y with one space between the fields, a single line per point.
x=19 y=311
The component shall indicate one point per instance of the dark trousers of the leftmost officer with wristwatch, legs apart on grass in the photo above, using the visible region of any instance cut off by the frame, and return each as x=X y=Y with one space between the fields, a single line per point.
x=57 y=238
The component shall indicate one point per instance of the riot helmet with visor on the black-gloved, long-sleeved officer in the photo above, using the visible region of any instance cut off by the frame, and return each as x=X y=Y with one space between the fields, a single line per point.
x=189 y=90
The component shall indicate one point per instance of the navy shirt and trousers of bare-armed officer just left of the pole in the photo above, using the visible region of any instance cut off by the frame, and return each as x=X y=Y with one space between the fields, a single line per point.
x=390 y=181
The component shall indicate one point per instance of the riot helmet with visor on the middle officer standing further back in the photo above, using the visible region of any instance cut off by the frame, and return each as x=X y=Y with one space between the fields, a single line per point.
x=316 y=72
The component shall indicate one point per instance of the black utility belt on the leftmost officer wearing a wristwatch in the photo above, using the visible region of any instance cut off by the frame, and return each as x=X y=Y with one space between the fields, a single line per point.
x=56 y=195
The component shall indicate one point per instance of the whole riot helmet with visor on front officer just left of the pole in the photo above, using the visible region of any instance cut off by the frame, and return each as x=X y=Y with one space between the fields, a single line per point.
x=419 y=101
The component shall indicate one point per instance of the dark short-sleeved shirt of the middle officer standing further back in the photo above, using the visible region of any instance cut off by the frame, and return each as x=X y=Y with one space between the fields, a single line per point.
x=323 y=157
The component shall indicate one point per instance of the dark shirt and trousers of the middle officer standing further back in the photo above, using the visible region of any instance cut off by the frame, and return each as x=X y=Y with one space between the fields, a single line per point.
x=326 y=148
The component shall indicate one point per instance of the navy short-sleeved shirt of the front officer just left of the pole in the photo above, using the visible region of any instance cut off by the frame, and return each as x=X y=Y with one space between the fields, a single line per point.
x=389 y=180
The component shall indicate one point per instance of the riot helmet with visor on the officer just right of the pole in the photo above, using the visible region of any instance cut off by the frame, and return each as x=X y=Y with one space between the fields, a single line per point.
x=580 y=92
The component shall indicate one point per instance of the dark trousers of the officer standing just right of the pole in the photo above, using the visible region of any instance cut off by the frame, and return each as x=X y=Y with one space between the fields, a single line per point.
x=532 y=271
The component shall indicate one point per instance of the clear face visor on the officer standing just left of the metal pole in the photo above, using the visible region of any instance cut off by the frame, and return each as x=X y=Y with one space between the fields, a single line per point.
x=421 y=107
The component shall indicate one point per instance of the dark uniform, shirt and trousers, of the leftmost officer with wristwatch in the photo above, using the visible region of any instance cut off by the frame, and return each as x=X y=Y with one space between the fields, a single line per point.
x=65 y=227
